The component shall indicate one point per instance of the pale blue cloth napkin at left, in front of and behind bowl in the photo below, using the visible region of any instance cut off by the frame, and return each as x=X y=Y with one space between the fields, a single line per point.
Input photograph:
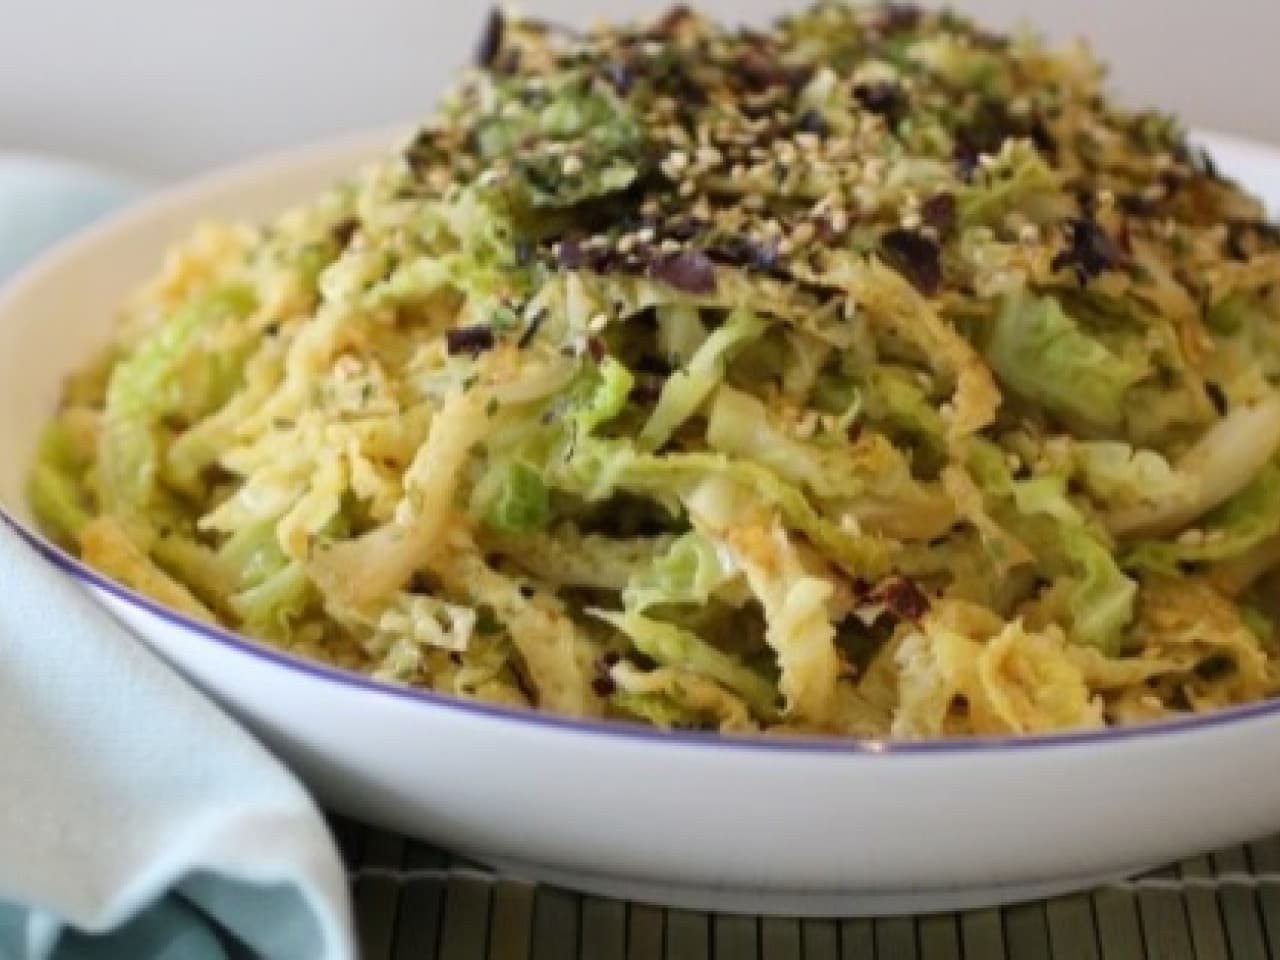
x=135 y=817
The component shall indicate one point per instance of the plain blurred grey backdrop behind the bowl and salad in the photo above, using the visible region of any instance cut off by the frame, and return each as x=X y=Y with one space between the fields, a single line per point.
x=167 y=88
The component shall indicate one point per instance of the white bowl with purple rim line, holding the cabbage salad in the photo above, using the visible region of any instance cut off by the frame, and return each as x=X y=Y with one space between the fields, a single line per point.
x=799 y=828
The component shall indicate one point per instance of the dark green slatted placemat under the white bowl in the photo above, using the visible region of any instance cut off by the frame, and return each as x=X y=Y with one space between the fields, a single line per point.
x=418 y=903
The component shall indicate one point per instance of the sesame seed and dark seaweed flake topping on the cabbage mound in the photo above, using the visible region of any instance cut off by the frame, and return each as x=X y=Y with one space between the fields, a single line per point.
x=665 y=149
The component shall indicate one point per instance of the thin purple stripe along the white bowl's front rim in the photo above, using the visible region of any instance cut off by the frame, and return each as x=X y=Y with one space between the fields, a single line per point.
x=1267 y=710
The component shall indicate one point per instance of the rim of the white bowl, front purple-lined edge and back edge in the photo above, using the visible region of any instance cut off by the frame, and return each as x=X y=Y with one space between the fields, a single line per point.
x=278 y=163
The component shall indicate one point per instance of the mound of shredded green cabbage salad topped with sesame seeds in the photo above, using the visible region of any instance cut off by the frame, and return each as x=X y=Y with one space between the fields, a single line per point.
x=875 y=376
